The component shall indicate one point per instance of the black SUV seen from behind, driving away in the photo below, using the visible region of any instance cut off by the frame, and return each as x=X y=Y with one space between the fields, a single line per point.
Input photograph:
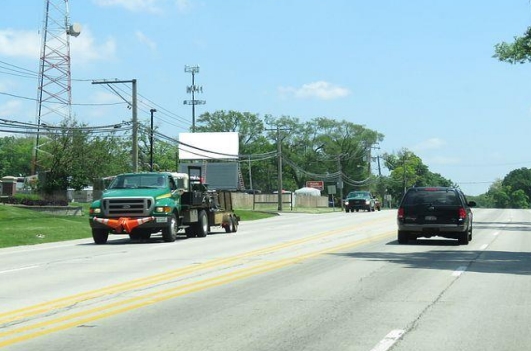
x=435 y=211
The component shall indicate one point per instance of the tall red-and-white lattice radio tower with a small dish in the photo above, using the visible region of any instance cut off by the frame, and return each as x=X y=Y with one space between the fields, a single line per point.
x=55 y=91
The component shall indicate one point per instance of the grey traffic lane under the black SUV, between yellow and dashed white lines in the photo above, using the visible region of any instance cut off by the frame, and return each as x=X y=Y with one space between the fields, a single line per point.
x=340 y=300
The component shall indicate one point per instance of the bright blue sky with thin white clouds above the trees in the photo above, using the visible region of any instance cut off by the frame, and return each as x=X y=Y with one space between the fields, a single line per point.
x=420 y=72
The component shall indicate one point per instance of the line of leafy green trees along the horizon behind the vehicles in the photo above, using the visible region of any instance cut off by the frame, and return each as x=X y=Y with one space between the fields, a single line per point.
x=338 y=152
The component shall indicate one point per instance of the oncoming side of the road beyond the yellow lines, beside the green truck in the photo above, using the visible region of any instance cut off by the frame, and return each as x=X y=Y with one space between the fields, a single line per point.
x=55 y=270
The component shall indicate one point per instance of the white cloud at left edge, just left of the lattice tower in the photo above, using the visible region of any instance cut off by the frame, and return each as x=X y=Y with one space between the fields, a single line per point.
x=20 y=43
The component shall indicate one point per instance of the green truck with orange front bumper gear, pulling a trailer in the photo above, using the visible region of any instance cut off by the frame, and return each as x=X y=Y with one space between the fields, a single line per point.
x=141 y=204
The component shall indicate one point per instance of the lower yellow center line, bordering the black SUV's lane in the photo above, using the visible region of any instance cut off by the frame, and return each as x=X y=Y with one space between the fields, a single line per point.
x=112 y=309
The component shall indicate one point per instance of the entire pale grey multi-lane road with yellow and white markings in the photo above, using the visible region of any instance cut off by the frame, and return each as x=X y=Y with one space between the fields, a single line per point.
x=333 y=281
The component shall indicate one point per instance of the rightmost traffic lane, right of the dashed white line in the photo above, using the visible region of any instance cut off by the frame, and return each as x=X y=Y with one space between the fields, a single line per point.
x=489 y=306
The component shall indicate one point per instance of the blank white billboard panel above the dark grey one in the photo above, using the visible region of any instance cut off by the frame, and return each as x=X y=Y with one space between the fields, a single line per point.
x=208 y=146
